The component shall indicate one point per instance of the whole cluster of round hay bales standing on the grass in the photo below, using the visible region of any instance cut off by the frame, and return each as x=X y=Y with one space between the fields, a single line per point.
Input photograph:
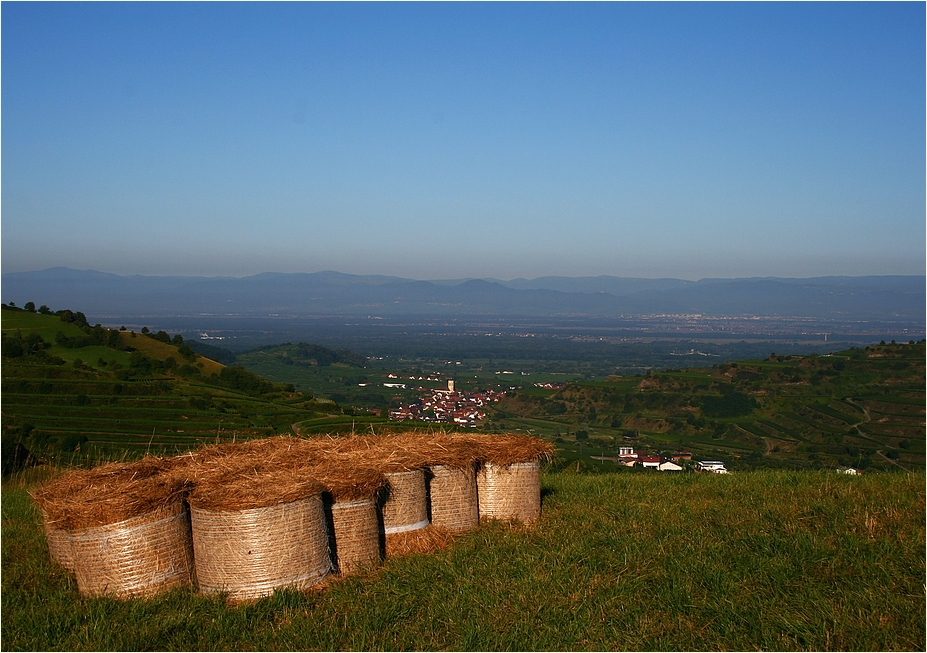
x=248 y=518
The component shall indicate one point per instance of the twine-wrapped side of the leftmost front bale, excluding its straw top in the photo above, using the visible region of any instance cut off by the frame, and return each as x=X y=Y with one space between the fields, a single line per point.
x=137 y=557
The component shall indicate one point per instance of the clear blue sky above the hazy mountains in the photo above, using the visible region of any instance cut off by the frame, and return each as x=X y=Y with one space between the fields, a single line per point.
x=453 y=140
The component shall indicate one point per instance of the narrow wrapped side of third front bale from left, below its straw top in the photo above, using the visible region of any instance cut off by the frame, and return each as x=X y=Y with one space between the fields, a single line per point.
x=356 y=527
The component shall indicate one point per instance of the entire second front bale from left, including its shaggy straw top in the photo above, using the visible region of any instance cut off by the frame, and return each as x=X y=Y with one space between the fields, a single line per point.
x=256 y=531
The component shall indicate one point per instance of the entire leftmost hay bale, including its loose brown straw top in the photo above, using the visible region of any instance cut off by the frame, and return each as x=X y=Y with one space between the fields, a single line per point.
x=122 y=528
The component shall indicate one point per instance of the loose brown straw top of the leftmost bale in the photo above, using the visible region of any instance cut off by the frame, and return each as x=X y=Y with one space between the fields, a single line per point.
x=87 y=498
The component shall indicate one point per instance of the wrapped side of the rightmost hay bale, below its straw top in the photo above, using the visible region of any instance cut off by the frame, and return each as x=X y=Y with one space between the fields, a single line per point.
x=510 y=492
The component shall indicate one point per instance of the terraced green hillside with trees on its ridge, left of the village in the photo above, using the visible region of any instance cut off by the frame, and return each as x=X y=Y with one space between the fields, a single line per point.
x=72 y=392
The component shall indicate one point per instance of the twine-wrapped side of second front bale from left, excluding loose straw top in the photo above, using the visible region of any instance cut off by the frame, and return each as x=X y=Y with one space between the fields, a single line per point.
x=251 y=552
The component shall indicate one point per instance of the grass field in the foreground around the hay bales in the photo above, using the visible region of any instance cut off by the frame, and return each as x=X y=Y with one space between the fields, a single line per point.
x=759 y=560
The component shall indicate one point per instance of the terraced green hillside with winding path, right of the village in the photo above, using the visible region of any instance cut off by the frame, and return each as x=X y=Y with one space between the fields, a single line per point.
x=861 y=407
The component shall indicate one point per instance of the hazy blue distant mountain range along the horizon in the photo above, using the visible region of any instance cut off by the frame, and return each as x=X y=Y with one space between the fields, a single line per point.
x=335 y=293
